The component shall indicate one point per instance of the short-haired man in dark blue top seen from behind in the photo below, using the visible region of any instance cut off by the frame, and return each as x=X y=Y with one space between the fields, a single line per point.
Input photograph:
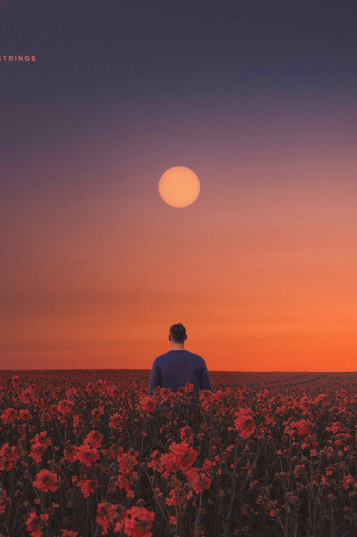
x=177 y=367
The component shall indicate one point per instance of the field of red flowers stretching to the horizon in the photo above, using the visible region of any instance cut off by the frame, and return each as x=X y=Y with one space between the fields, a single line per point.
x=88 y=453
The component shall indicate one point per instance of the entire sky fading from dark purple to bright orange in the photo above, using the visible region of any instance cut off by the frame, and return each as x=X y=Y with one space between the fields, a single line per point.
x=259 y=100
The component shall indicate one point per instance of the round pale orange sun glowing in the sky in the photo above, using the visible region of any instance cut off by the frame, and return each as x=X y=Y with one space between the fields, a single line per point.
x=179 y=186
